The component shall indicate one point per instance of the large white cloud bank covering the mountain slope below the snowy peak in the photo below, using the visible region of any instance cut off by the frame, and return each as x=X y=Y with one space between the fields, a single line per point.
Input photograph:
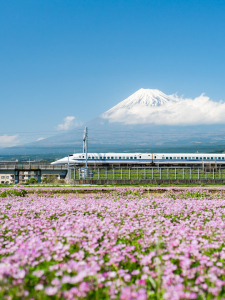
x=200 y=110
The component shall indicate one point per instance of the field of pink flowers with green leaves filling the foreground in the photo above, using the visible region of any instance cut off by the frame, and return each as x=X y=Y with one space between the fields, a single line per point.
x=125 y=245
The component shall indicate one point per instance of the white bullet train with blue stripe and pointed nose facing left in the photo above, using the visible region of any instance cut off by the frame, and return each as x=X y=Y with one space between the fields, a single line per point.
x=141 y=159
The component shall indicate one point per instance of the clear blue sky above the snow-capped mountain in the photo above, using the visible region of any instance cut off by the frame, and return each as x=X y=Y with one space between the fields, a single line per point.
x=80 y=58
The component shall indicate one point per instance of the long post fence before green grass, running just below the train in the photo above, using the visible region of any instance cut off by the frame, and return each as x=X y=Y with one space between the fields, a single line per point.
x=146 y=173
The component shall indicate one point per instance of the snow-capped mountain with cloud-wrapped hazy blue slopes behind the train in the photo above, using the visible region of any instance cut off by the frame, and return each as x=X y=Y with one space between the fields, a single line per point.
x=148 y=120
